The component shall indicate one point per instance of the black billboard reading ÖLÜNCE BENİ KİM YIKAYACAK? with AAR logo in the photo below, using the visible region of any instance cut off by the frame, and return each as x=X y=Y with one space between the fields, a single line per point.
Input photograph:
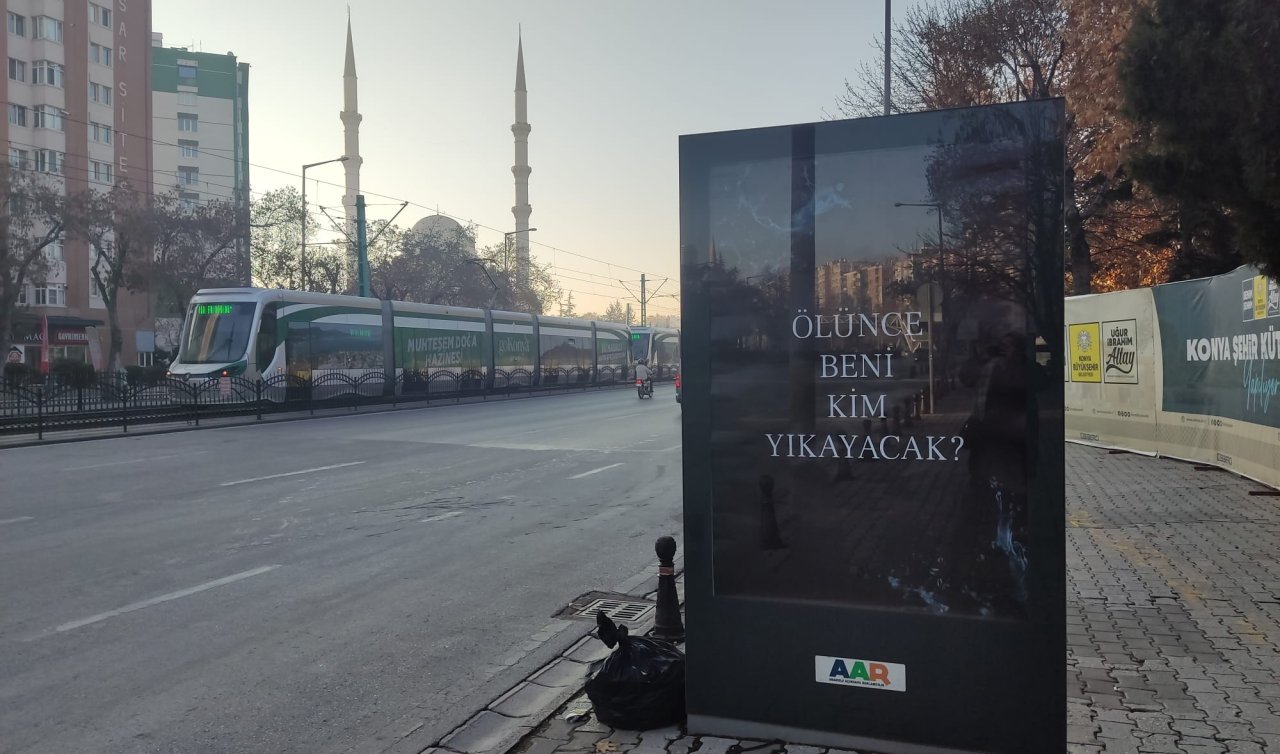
x=874 y=478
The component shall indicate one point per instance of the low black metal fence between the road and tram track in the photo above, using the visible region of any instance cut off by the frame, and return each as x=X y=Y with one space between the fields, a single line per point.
x=108 y=401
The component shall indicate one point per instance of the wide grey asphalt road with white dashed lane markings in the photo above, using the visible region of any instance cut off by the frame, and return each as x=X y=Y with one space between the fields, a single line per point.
x=322 y=586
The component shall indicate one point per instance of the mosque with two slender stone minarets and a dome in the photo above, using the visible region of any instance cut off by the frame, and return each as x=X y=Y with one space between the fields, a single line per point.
x=441 y=225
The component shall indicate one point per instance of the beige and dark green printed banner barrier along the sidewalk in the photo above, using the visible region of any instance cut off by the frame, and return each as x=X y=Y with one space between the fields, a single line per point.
x=1188 y=371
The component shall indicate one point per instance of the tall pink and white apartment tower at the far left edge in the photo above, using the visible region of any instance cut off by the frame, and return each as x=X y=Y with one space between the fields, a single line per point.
x=79 y=100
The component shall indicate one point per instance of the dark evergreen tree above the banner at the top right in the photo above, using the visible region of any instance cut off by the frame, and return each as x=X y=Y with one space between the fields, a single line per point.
x=1205 y=79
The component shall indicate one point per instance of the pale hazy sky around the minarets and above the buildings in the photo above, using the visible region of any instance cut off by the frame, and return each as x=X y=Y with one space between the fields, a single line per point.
x=612 y=85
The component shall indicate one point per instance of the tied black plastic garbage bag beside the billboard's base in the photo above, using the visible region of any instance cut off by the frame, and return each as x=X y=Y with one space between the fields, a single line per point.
x=642 y=686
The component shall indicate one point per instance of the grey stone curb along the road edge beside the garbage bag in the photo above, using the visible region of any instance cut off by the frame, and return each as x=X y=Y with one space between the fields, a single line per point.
x=509 y=720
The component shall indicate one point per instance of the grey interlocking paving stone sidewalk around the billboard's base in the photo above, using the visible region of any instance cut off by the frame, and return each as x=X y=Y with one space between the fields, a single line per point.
x=1173 y=622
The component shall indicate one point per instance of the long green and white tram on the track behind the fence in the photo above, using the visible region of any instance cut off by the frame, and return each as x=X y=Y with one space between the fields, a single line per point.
x=290 y=336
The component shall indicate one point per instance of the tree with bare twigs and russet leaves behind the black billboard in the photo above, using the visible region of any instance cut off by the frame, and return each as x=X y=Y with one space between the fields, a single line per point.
x=963 y=53
